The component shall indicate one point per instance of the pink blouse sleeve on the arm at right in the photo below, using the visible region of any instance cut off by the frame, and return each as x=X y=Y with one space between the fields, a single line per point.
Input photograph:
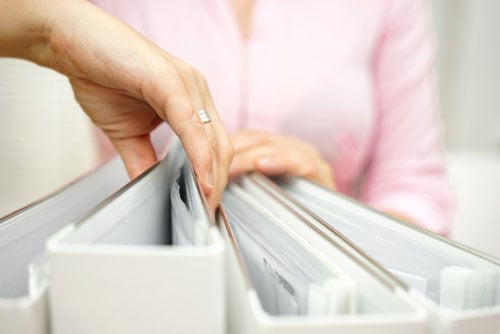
x=407 y=172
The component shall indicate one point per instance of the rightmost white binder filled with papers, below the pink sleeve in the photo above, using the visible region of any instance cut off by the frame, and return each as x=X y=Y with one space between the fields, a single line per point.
x=458 y=285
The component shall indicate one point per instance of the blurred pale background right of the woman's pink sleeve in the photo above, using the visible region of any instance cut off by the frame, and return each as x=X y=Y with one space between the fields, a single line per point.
x=469 y=71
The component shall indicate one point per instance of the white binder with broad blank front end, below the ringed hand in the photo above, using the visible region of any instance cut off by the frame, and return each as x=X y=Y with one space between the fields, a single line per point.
x=116 y=270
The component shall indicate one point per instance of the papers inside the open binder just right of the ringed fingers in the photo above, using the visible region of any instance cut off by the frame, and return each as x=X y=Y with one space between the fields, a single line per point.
x=290 y=278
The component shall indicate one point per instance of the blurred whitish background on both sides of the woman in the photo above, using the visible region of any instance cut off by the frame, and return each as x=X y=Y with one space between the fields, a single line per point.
x=46 y=141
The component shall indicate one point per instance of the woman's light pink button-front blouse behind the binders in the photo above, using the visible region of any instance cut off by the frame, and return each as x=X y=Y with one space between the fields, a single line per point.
x=353 y=77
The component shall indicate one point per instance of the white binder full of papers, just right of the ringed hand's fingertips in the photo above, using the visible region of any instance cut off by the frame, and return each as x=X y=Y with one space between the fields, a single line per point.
x=284 y=277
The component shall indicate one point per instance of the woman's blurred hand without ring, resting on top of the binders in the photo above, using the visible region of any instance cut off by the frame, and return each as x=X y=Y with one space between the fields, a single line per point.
x=274 y=154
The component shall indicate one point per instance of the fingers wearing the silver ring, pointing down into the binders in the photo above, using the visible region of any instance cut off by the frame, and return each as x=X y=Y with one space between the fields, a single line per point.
x=206 y=144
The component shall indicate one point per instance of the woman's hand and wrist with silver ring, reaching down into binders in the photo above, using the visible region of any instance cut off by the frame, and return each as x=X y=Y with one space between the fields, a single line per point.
x=125 y=83
